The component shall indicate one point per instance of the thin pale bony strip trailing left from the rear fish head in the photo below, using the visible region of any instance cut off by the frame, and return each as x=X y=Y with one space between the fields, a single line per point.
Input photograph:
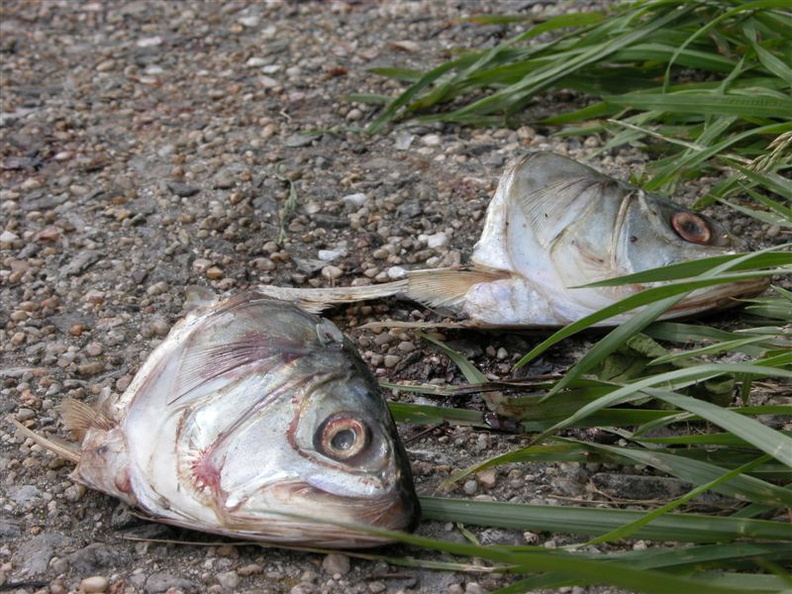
x=317 y=300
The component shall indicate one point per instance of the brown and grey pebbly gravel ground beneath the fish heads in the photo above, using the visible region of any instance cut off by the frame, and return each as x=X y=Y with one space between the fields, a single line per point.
x=146 y=146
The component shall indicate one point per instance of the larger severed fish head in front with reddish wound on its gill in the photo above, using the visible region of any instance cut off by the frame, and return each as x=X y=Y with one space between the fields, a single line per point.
x=257 y=420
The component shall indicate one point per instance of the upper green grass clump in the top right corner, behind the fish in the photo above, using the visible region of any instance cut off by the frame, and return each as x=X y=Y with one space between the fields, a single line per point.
x=705 y=85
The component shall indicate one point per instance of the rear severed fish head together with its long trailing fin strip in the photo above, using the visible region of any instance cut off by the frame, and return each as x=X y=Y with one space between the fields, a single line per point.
x=555 y=224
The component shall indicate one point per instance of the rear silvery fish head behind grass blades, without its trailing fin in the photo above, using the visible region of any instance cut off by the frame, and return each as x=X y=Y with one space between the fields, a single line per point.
x=558 y=224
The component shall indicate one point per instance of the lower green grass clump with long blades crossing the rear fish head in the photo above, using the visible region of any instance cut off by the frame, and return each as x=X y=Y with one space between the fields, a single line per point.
x=721 y=448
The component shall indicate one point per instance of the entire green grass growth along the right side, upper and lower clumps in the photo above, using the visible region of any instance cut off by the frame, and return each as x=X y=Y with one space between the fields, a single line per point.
x=704 y=86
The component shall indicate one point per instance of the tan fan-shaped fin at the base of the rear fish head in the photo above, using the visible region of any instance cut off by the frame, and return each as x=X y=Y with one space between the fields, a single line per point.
x=447 y=287
